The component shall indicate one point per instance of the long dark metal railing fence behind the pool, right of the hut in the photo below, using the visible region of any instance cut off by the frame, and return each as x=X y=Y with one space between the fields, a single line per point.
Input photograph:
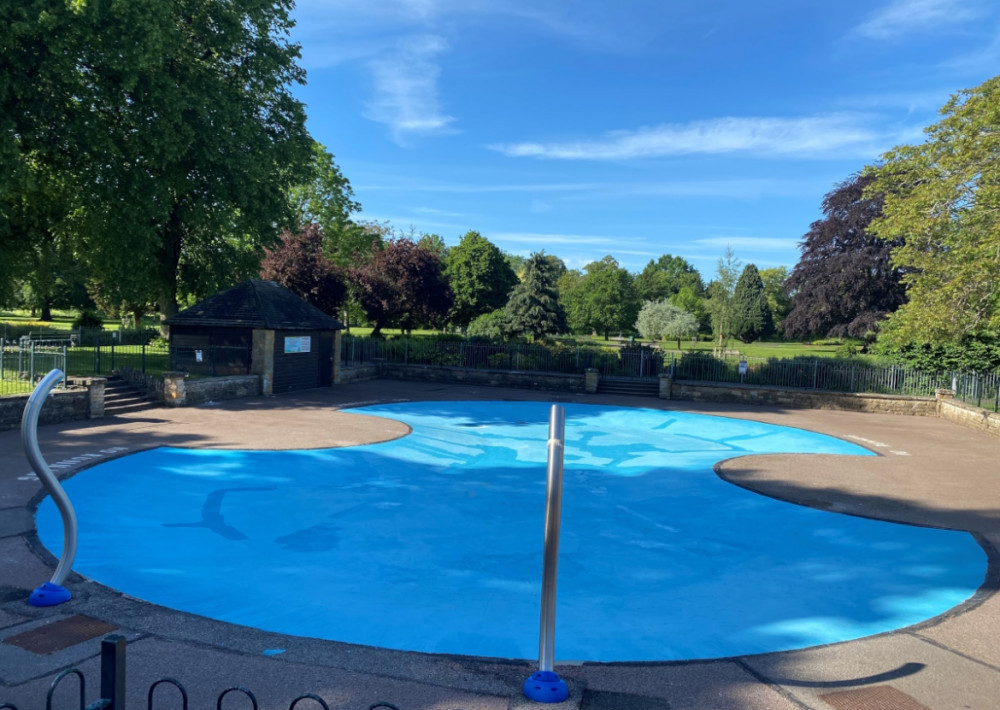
x=982 y=390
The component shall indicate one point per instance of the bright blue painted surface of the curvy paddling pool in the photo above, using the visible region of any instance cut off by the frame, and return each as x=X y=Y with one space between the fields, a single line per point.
x=433 y=542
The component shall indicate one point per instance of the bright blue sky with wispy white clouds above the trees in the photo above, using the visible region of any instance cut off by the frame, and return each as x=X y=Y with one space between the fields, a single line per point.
x=632 y=128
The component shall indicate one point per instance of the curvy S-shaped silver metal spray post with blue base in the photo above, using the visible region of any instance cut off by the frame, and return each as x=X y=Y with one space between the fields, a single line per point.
x=51 y=592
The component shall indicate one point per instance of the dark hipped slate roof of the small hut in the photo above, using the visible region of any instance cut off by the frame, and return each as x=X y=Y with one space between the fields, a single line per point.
x=257 y=304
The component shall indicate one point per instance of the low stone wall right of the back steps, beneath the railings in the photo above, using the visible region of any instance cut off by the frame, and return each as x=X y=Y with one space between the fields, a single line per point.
x=792 y=398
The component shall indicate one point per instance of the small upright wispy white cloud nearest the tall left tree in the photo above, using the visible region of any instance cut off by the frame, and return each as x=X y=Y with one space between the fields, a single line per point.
x=406 y=94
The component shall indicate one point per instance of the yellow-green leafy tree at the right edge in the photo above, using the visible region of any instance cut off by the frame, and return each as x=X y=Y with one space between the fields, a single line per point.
x=941 y=218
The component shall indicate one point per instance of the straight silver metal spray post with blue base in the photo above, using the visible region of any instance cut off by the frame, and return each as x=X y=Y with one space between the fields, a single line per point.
x=545 y=685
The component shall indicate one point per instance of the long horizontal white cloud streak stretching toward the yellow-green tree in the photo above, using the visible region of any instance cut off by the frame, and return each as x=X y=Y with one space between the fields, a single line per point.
x=831 y=135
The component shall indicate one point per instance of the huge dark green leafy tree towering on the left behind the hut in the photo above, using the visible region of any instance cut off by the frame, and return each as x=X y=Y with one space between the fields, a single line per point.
x=177 y=119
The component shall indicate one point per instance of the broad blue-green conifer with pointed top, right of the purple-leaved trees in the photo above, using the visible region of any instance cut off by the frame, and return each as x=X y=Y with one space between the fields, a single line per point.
x=533 y=308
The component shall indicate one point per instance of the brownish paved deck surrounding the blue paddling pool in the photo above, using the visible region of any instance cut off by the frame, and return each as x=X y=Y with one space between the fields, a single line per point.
x=929 y=472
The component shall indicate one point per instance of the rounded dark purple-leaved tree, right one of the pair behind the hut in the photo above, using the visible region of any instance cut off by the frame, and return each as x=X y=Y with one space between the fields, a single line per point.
x=401 y=284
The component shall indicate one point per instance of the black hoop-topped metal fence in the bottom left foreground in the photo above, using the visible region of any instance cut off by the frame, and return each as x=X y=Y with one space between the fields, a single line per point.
x=112 y=688
